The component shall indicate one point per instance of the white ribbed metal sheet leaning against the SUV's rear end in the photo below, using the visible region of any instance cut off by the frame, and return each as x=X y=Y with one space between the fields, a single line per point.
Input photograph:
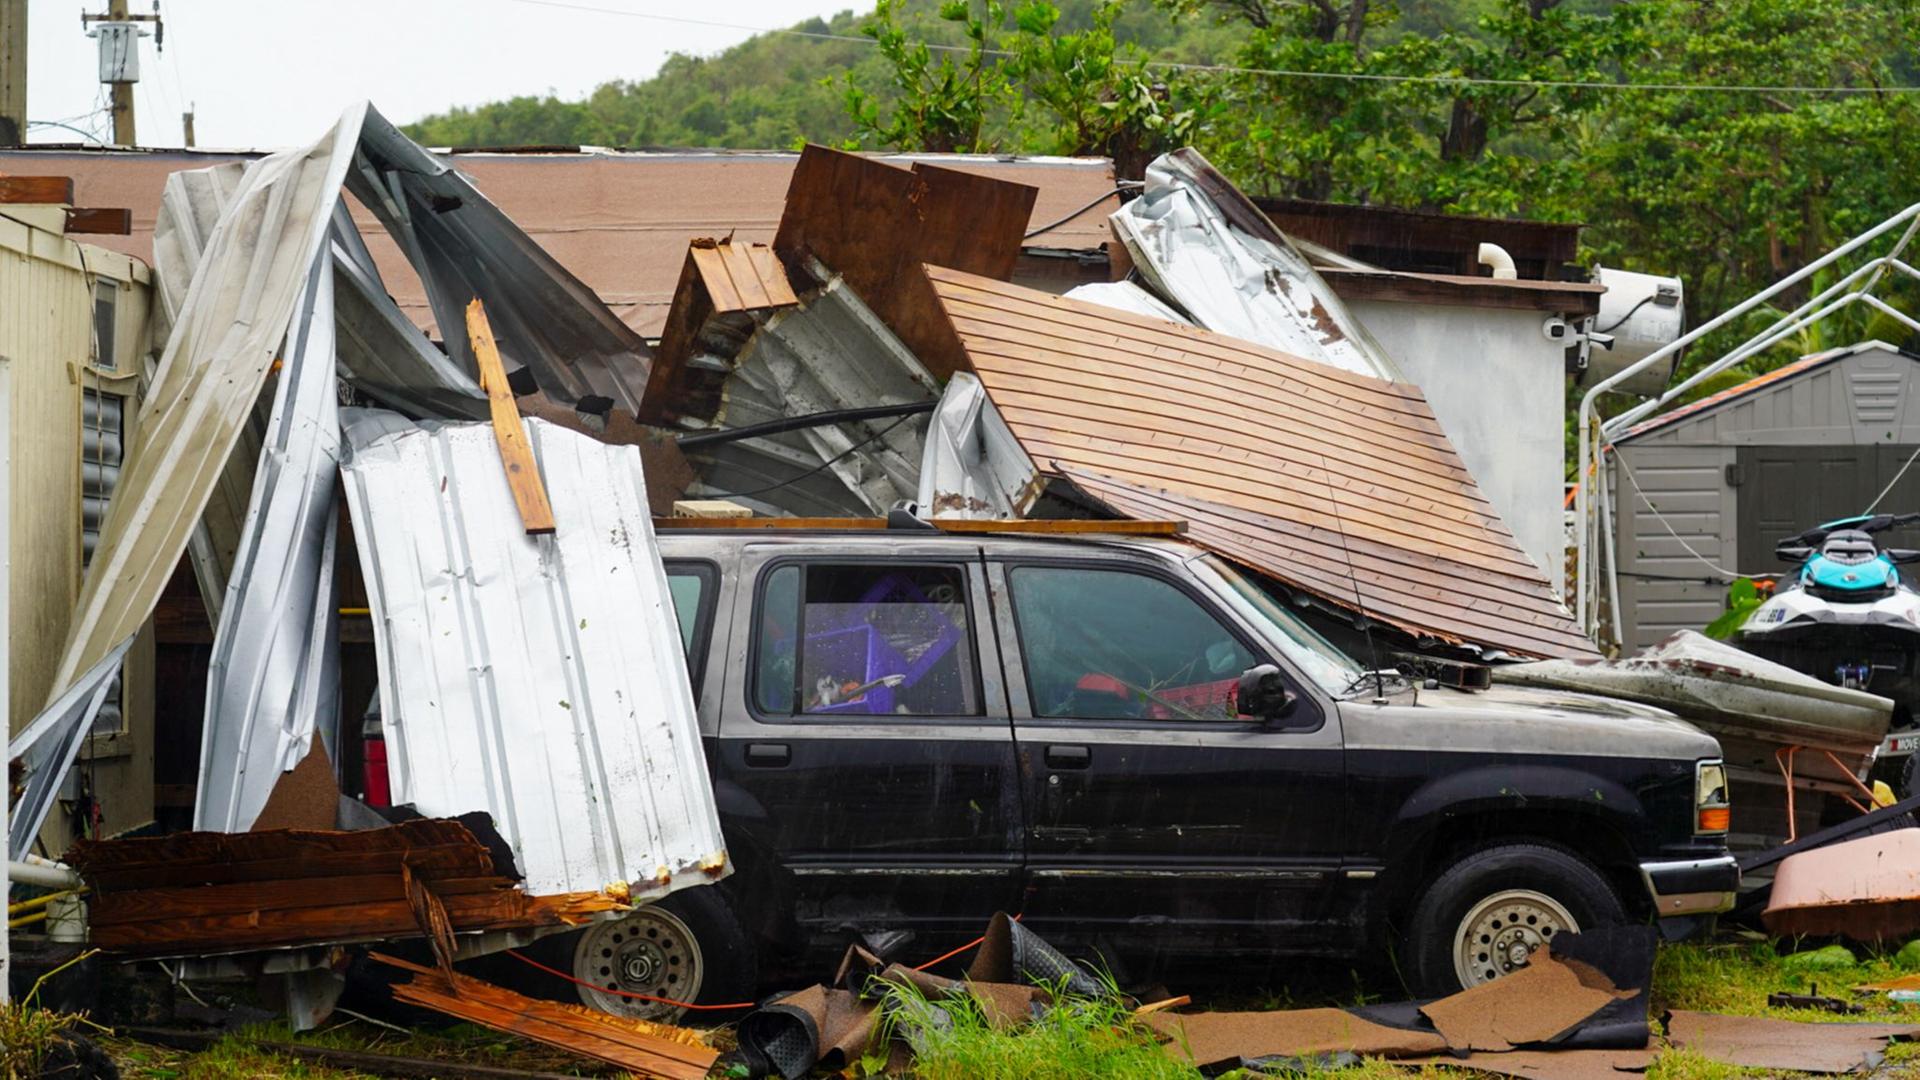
x=533 y=677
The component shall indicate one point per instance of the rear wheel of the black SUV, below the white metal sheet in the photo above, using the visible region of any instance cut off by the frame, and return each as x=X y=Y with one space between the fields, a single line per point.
x=688 y=946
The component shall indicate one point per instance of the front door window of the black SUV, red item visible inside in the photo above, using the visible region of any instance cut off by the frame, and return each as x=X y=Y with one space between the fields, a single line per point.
x=1120 y=645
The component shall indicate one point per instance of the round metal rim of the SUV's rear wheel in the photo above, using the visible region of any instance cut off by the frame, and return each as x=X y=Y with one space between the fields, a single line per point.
x=648 y=952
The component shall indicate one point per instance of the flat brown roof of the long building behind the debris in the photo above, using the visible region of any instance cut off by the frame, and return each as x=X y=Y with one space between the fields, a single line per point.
x=617 y=222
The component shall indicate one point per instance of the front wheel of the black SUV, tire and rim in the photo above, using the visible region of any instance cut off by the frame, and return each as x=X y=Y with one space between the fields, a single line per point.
x=1489 y=914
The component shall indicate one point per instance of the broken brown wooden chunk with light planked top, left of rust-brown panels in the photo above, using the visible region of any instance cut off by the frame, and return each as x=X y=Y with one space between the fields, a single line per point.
x=719 y=287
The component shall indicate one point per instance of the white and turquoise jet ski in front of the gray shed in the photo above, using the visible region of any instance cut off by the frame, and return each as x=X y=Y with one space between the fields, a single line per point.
x=1848 y=616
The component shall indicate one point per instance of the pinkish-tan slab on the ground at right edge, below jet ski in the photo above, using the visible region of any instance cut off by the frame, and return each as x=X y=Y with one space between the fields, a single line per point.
x=1865 y=889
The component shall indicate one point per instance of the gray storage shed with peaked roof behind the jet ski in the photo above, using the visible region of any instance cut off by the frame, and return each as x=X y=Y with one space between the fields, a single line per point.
x=1716 y=485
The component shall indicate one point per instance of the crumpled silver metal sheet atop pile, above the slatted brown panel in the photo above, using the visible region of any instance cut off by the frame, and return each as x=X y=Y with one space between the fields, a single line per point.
x=1203 y=245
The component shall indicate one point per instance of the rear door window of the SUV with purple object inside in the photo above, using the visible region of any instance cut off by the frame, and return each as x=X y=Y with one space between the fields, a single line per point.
x=859 y=641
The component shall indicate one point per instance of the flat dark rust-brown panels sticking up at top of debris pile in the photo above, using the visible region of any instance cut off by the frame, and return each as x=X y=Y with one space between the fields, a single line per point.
x=876 y=226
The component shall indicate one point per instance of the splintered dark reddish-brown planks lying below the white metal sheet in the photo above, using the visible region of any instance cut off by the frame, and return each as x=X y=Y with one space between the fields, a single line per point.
x=216 y=893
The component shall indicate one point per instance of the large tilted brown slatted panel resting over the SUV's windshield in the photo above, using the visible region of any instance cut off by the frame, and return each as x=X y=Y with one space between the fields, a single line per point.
x=1324 y=479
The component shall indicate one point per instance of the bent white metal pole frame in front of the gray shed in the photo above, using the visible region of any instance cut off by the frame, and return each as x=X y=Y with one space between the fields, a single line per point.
x=1595 y=443
